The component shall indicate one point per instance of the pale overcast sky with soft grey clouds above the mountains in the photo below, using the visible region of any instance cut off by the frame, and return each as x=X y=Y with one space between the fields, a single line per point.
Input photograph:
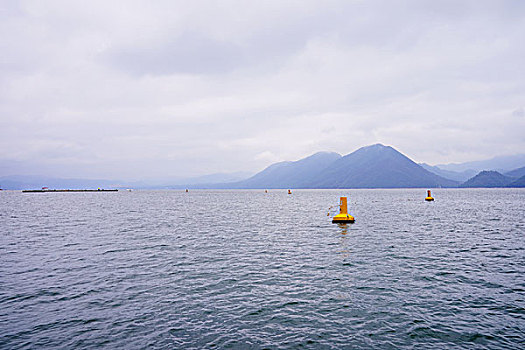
x=160 y=89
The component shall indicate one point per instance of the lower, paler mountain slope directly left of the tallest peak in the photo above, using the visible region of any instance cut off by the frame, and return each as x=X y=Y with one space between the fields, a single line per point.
x=289 y=174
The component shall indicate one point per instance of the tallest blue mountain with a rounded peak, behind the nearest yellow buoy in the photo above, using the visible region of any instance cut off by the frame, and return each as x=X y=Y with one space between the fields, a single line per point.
x=377 y=166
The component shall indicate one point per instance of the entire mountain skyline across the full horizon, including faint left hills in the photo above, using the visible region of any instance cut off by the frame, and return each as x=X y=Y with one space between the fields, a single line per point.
x=375 y=166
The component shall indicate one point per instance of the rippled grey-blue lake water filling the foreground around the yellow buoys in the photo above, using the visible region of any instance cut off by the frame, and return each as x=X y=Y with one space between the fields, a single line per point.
x=250 y=270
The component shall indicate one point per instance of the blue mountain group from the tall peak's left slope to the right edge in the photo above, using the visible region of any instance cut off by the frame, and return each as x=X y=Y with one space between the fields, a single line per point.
x=375 y=166
